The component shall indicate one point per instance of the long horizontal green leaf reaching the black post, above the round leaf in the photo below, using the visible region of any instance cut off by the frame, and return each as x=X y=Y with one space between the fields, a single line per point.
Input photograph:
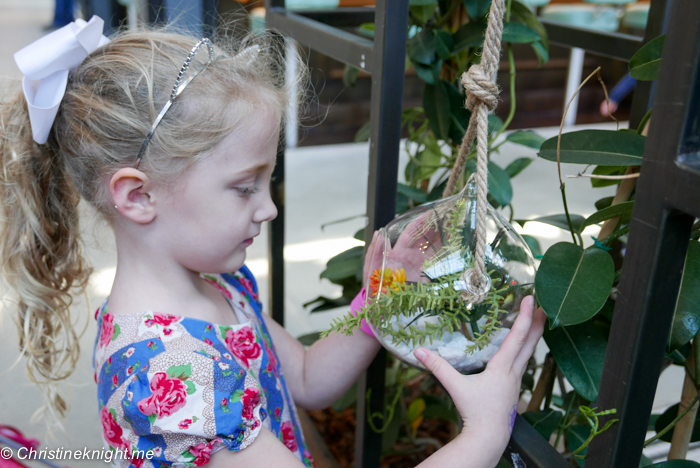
x=600 y=147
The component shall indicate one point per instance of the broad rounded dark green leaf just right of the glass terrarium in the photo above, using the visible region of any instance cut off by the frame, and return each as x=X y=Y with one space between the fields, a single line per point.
x=573 y=284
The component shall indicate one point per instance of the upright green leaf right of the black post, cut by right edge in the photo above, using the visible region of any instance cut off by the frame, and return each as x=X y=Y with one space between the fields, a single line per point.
x=686 y=319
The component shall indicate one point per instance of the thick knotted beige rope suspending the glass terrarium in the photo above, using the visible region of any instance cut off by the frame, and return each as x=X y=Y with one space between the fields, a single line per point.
x=482 y=97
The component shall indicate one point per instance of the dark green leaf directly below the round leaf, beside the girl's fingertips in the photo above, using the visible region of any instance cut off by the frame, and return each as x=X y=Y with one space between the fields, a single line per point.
x=579 y=351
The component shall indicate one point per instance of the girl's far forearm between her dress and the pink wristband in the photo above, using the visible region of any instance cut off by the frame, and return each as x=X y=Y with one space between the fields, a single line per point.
x=321 y=374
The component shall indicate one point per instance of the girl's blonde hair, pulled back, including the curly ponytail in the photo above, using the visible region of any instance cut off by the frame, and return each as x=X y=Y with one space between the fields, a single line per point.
x=110 y=104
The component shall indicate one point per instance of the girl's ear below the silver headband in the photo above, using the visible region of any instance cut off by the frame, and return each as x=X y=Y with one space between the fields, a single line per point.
x=130 y=190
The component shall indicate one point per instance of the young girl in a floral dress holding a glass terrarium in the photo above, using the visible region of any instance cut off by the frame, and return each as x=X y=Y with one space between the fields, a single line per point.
x=178 y=159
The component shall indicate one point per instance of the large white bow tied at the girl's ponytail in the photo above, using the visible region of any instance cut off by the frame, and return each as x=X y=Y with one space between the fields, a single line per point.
x=45 y=65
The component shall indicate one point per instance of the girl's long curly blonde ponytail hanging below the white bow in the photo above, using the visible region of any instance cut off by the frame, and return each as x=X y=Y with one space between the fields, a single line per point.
x=40 y=250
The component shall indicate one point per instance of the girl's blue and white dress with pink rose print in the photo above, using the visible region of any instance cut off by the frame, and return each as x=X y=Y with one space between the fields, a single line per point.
x=183 y=388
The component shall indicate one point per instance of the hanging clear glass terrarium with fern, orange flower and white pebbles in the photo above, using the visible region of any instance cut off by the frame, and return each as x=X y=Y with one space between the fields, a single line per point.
x=419 y=283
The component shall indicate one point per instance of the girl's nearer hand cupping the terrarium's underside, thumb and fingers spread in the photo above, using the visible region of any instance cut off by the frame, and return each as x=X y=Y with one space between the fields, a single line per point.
x=487 y=402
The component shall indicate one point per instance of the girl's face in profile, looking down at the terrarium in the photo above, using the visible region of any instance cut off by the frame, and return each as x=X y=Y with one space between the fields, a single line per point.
x=215 y=209
